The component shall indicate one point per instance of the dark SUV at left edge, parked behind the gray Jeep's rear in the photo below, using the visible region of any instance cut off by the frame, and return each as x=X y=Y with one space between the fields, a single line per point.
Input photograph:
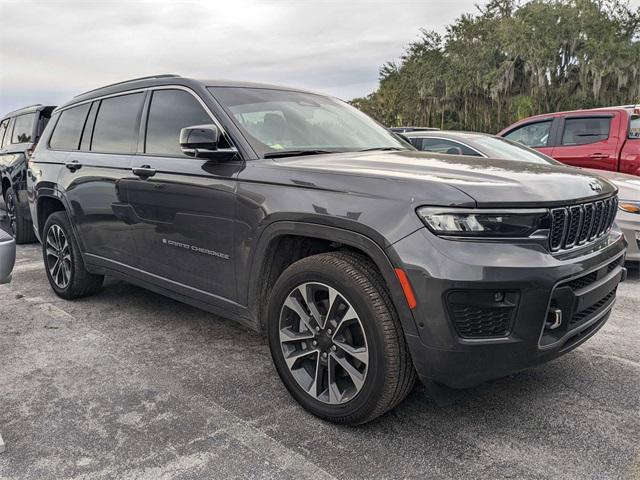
x=20 y=131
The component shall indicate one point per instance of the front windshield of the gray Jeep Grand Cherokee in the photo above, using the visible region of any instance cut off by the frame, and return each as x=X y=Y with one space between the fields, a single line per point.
x=281 y=120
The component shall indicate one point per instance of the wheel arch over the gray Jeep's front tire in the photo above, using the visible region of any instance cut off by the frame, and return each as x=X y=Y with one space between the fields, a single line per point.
x=268 y=262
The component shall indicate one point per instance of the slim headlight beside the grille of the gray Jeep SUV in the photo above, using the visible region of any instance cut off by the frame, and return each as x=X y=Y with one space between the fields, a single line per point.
x=484 y=222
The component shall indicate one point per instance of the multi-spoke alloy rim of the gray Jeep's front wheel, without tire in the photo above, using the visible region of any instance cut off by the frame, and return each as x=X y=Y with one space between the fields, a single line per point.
x=323 y=343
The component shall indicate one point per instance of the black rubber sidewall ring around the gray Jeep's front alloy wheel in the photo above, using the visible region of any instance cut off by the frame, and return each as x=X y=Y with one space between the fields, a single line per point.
x=367 y=399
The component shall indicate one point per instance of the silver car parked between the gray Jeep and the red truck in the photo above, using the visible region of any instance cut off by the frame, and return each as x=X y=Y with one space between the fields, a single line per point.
x=489 y=146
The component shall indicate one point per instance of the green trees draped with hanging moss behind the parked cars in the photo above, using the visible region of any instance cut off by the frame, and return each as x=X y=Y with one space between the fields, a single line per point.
x=510 y=60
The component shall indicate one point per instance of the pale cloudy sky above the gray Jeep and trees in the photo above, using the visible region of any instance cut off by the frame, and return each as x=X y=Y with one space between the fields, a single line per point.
x=53 y=50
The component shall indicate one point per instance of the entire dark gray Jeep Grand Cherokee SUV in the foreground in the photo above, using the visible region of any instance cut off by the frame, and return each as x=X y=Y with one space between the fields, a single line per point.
x=364 y=261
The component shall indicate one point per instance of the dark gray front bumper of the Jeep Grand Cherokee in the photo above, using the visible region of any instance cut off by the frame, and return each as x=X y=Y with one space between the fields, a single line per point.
x=524 y=280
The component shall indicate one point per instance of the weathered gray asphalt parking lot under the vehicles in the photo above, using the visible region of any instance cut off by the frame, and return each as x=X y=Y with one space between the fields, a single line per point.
x=129 y=384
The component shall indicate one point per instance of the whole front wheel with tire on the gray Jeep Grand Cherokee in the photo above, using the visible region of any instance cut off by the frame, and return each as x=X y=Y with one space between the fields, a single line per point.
x=367 y=369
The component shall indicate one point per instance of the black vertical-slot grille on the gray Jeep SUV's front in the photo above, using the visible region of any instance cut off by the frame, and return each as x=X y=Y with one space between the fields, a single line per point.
x=578 y=224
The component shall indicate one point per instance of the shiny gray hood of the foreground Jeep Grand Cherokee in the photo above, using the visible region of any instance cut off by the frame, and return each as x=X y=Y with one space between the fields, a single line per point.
x=489 y=182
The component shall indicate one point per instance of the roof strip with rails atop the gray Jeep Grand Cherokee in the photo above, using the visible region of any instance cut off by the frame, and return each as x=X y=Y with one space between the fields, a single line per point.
x=168 y=79
